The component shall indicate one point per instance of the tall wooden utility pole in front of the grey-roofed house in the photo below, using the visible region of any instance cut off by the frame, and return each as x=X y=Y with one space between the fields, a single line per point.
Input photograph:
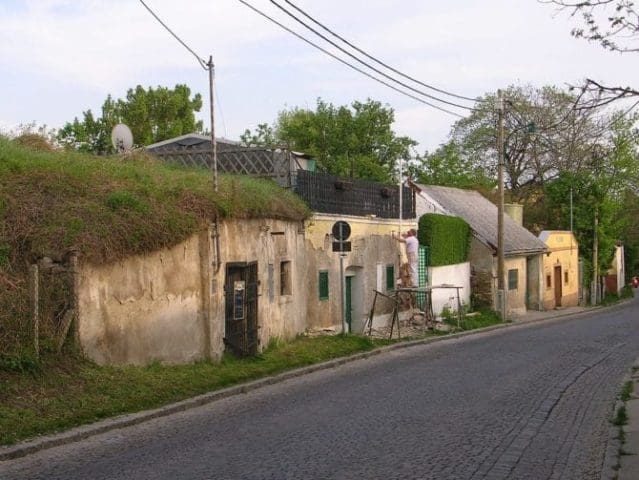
x=501 y=294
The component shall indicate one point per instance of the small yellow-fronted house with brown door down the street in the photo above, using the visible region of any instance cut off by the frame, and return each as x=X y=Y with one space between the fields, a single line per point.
x=561 y=269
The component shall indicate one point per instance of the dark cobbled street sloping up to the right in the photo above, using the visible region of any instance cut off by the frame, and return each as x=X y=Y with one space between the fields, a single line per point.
x=522 y=403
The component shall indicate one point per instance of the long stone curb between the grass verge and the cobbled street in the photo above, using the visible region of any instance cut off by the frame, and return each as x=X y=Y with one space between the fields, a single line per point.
x=80 y=433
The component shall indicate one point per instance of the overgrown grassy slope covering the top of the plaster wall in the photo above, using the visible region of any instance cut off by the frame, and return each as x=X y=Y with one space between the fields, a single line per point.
x=108 y=208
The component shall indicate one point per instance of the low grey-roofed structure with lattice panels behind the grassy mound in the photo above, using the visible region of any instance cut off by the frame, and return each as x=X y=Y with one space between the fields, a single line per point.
x=194 y=150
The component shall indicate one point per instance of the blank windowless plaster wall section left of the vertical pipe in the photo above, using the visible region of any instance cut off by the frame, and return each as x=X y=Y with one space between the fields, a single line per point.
x=144 y=308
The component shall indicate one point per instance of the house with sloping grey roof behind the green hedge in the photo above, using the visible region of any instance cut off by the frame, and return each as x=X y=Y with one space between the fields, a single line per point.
x=522 y=250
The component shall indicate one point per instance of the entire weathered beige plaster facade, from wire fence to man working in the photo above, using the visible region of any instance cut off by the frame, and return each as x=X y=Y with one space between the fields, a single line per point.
x=170 y=305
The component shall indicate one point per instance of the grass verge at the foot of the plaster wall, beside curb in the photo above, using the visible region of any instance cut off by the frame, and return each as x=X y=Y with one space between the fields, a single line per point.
x=70 y=391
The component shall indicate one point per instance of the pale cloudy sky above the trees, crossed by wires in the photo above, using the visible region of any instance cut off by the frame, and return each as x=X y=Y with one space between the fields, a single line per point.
x=59 y=58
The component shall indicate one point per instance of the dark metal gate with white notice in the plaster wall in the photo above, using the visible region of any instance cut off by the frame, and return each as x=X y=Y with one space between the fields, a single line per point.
x=240 y=289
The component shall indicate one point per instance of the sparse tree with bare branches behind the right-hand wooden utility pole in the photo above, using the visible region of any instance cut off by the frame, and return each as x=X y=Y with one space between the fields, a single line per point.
x=543 y=135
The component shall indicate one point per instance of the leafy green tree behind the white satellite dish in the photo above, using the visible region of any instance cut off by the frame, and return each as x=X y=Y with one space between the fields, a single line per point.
x=153 y=115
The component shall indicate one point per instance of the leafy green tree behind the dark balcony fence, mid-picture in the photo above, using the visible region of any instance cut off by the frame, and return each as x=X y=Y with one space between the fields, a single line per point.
x=355 y=140
